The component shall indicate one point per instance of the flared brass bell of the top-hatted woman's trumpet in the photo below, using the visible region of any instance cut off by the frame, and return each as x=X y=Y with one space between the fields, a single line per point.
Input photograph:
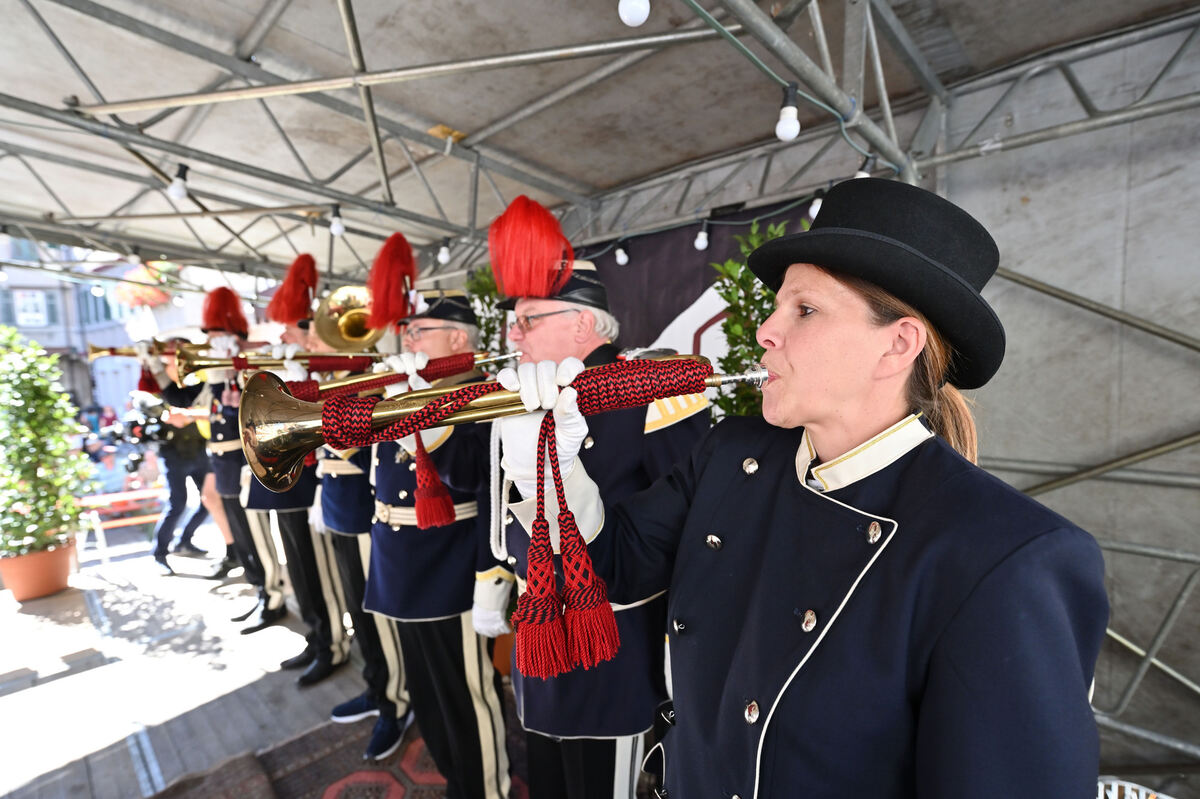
x=278 y=431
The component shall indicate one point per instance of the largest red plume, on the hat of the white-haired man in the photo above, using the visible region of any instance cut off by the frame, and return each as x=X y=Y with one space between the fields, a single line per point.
x=531 y=257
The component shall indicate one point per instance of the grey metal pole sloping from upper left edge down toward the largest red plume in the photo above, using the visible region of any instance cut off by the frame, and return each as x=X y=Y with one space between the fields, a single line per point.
x=191 y=154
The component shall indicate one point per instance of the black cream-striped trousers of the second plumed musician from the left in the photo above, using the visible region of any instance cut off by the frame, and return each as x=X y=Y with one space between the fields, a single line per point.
x=316 y=581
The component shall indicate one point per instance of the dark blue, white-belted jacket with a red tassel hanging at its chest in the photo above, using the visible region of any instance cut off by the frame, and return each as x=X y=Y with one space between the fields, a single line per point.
x=425 y=575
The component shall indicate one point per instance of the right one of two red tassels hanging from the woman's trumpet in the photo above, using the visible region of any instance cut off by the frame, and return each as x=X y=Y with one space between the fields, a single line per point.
x=592 y=635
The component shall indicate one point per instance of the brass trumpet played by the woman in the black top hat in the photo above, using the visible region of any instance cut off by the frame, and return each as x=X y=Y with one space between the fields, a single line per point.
x=278 y=430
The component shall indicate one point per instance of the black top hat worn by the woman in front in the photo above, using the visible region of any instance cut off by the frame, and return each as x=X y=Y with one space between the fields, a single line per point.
x=916 y=245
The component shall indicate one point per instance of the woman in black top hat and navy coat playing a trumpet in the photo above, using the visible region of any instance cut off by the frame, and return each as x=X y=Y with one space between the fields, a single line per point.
x=857 y=610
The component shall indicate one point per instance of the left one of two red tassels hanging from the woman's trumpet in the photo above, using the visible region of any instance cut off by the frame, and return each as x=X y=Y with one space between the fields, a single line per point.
x=541 y=639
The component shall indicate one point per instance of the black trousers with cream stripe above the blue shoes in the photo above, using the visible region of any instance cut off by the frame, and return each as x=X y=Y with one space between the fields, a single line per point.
x=383 y=662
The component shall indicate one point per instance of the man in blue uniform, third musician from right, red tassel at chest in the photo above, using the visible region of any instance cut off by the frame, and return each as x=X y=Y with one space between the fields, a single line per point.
x=427 y=578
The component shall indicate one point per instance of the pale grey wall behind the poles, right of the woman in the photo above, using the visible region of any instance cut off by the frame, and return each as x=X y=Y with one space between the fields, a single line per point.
x=1115 y=217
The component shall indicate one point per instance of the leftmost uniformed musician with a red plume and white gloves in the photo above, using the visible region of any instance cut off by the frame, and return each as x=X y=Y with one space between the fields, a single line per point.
x=227 y=328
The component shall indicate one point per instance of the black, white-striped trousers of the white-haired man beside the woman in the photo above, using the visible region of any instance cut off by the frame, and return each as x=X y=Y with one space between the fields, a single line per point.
x=584 y=768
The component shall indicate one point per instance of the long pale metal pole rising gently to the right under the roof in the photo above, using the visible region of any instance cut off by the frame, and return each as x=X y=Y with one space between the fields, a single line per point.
x=401 y=75
